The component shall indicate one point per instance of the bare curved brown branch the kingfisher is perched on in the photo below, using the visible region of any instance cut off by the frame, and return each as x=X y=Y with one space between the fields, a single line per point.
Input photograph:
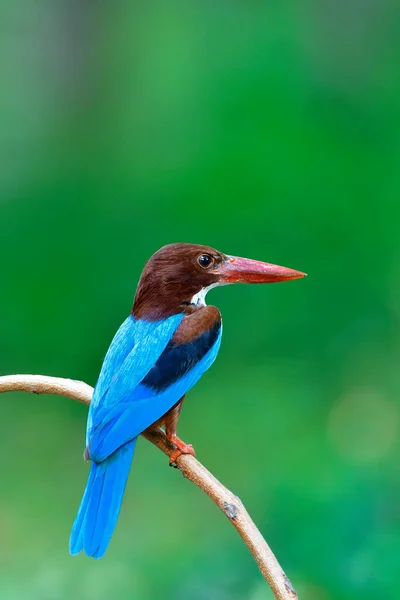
x=190 y=467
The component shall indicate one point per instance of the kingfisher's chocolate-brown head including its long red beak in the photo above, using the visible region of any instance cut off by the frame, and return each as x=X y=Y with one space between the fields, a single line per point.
x=181 y=274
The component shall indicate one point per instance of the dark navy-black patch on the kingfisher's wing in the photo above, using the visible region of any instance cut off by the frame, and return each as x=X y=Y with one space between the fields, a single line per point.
x=178 y=358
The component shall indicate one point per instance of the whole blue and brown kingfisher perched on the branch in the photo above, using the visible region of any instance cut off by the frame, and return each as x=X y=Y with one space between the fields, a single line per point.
x=168 y=341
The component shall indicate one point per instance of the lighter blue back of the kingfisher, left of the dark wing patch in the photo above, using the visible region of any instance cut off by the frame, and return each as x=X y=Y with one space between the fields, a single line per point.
x=135 y=349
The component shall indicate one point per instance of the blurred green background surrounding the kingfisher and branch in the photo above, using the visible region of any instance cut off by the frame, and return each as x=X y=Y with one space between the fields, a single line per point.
x=268 y=130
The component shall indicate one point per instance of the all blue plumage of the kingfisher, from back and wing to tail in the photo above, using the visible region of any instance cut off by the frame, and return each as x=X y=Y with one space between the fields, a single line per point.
x=124 y=404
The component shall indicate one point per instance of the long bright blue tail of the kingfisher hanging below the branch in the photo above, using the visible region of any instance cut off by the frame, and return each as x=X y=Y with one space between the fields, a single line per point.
x=99 y=509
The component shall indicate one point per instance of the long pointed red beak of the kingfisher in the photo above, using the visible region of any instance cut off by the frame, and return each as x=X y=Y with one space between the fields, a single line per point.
x=245 y=270
